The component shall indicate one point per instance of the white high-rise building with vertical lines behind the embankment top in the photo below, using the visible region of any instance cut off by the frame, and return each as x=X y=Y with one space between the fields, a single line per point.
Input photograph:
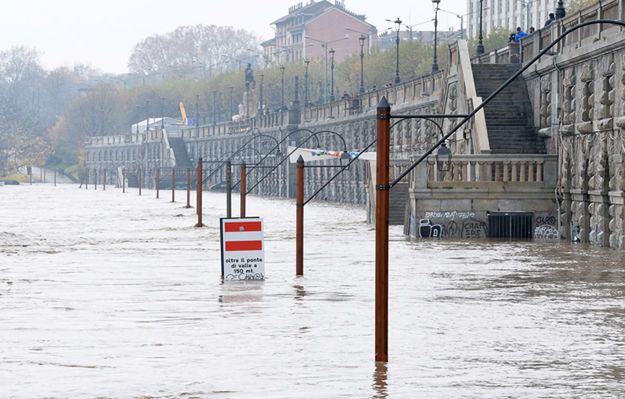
x=508 y=14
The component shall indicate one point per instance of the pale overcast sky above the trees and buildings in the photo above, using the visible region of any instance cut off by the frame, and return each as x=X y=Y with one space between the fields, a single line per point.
x=102 y=33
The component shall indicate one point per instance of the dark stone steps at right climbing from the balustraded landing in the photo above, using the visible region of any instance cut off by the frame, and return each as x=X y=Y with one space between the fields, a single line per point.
x=509 y=115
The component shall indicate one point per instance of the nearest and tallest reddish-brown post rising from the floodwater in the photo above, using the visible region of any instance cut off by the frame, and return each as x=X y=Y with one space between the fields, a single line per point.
x=381 y=230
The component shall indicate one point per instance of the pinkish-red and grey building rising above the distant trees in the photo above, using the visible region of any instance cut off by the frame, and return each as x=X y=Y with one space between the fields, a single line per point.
x=310 y=31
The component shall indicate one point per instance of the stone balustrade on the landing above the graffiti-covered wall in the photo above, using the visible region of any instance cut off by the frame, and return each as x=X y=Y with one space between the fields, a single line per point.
x=529 y=169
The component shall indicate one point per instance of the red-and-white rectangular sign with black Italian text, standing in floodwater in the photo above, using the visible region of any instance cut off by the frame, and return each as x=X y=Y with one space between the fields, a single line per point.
x=242 y=255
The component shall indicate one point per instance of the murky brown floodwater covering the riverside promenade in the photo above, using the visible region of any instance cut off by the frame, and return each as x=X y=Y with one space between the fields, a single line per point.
x=112 y=295
